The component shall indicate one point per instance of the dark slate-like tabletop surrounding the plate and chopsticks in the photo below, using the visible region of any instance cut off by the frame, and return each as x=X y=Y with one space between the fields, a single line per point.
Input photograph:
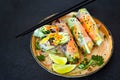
x=16 y=61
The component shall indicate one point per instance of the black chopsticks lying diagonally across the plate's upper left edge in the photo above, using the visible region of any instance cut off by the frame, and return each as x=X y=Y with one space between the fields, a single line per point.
x=75 y=7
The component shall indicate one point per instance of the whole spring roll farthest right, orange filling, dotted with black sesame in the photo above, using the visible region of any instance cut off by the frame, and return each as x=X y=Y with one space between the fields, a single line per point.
x=89 y=25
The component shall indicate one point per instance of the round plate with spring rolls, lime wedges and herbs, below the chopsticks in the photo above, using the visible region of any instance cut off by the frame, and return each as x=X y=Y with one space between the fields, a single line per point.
x=74 y=45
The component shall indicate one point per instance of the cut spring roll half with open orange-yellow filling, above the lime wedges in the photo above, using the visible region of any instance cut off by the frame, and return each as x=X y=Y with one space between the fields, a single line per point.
x=53 y=39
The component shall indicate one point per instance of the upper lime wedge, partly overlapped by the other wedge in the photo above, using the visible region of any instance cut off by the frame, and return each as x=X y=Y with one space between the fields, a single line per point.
x=57 y=59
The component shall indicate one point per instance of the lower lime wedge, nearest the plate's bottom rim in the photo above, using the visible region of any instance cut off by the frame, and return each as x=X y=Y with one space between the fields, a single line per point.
x=62 y=69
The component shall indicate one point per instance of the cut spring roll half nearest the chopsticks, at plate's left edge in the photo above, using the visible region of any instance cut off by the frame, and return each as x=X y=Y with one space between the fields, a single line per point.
x=45 y=30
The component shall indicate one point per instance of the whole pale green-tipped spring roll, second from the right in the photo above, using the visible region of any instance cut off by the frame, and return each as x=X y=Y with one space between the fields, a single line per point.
x=82 y=39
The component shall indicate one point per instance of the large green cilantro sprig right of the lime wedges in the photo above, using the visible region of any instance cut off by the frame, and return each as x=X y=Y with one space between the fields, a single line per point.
x=95 y=60
